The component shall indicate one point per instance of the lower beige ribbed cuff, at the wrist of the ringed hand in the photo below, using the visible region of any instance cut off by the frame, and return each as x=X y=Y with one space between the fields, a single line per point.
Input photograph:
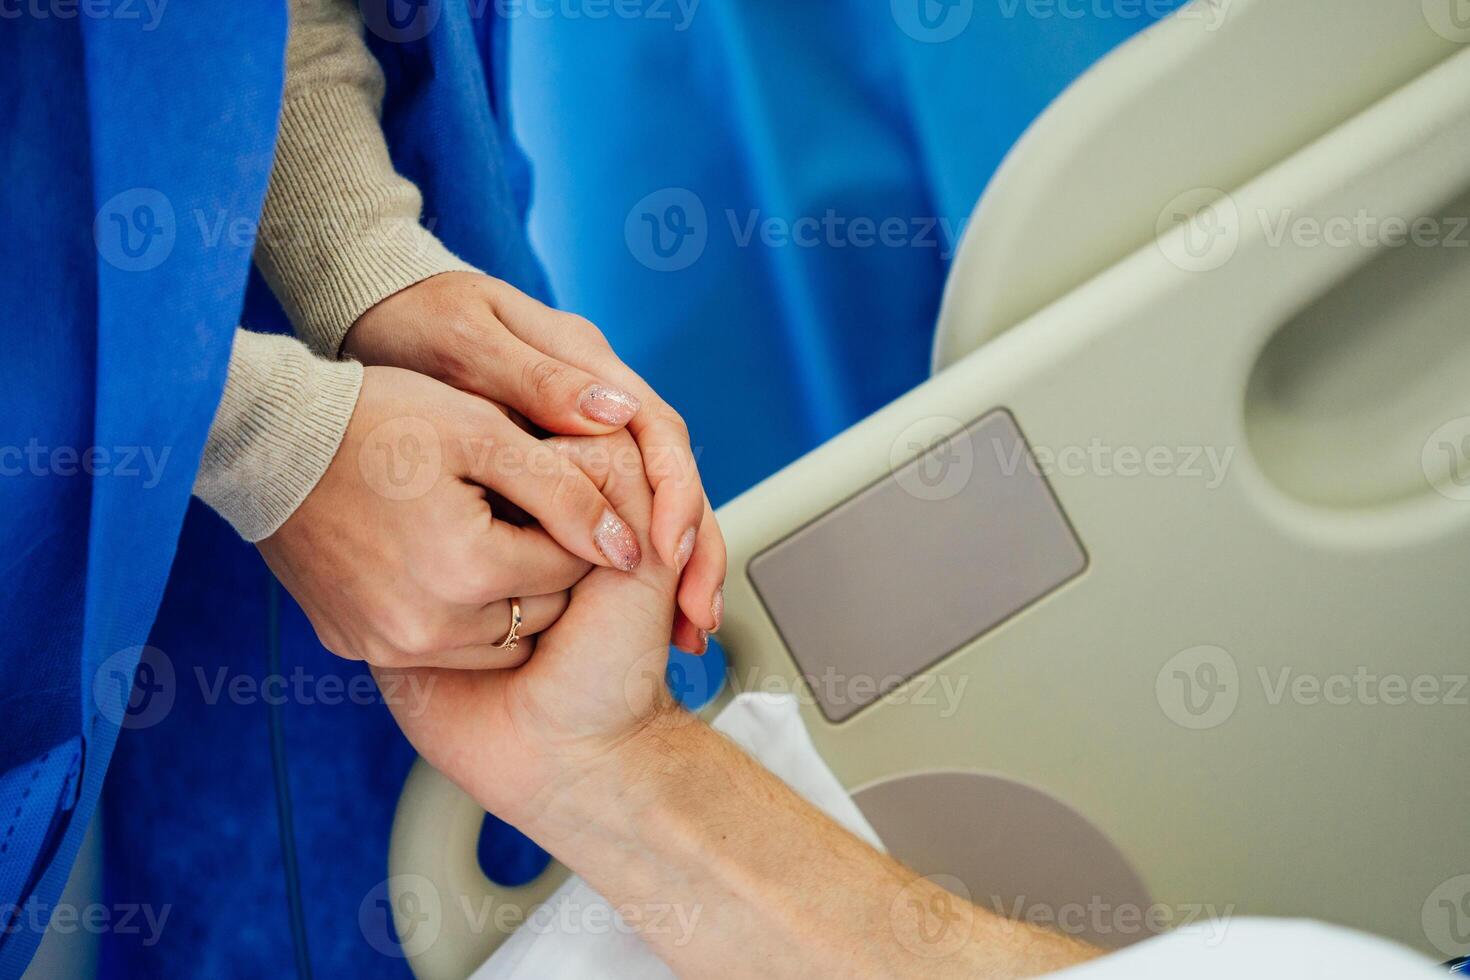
x=277 y=430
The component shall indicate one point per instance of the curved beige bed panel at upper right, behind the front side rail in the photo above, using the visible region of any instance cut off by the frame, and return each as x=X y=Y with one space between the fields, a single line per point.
x=1209 y=99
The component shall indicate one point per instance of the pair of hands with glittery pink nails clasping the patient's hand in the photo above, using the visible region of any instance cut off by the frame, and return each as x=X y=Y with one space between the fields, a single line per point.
x=443 y=503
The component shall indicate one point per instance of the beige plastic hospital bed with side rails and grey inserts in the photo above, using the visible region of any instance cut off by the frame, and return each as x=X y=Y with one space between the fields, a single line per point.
x=1155 y=596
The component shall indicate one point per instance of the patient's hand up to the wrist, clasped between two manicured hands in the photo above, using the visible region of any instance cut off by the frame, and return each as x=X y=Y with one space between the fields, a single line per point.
x=517 y=738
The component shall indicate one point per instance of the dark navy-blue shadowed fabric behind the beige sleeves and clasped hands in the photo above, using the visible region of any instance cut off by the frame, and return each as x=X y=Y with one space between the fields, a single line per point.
x=190 y=813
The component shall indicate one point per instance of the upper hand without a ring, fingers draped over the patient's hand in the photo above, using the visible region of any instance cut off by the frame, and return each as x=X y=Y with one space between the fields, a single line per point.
x=483 y=336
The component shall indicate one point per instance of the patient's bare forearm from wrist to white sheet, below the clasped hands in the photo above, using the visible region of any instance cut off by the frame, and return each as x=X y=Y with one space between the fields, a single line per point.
x=727 y=872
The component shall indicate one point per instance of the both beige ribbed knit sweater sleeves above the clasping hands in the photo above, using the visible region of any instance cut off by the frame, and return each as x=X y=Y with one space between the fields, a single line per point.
x=340 y=231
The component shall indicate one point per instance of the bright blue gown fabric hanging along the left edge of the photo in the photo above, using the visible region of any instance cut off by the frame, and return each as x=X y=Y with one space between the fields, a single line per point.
x=121 y=320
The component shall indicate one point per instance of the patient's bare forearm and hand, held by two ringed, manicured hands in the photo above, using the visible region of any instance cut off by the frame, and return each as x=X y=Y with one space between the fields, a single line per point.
x=584 y=752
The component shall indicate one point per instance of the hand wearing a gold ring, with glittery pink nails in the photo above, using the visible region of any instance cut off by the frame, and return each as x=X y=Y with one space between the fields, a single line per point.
x=398 y=556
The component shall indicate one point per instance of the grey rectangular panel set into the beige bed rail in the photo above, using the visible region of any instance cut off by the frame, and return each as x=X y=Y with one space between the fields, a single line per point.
x=918 y=565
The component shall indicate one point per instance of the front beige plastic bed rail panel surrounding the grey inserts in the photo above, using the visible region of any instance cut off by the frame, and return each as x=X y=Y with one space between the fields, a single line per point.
x=1262 y=443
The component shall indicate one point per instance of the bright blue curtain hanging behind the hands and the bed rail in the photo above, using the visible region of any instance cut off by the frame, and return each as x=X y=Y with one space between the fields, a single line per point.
x=843 y=115
